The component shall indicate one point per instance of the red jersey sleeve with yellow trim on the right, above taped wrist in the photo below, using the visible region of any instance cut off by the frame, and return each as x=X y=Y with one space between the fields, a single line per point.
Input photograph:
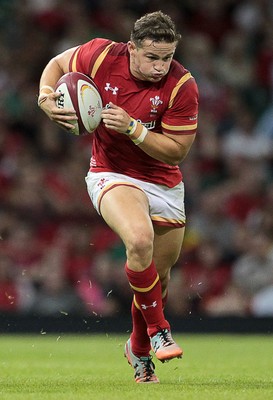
x=181 y=117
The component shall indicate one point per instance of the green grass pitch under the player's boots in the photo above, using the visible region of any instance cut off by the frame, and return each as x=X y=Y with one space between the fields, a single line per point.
x=214 y=367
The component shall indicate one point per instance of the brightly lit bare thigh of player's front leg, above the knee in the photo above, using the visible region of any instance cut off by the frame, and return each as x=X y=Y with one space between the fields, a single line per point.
x=126 y=210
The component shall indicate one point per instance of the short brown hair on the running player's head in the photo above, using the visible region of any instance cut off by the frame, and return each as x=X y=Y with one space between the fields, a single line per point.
x=155 y=26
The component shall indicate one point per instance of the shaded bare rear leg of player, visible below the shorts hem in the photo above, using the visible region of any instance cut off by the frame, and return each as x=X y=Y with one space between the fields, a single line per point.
x=167 y=248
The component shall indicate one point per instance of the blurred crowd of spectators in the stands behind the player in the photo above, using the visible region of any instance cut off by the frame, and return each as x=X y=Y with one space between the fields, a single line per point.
x=56 y=255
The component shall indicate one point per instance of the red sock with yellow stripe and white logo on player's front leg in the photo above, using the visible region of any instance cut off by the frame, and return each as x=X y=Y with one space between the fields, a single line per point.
x=147 y=289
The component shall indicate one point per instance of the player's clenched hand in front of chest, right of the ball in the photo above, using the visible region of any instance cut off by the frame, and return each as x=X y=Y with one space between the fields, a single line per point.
x=116 y=118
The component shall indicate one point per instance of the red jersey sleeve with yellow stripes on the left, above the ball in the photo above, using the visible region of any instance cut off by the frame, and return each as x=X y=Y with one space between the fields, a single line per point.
x=88 y=57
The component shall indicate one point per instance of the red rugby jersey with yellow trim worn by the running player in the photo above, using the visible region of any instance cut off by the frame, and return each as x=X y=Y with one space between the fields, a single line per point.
x=170 y=105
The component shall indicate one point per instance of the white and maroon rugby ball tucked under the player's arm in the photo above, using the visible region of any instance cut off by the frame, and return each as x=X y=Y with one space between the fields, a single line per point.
x=78 y=91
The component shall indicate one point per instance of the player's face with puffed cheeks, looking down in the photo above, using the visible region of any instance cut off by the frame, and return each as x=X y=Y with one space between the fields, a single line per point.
x=151 y=61
